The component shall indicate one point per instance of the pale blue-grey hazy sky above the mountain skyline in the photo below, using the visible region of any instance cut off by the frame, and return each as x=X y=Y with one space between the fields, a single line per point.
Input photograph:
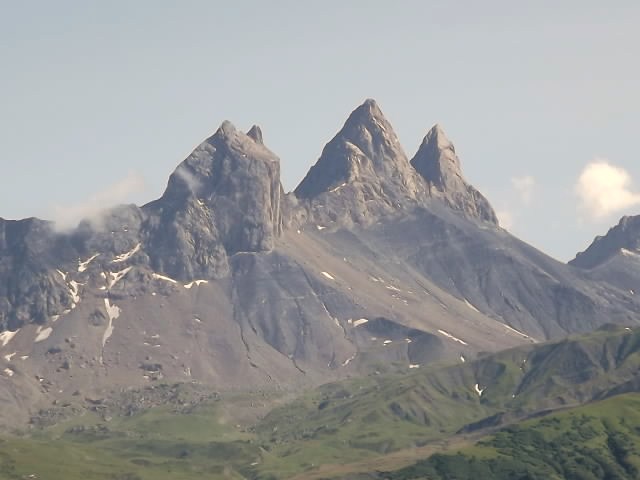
x=100 y=101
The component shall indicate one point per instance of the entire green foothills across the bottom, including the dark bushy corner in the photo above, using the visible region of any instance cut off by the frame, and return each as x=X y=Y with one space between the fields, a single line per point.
x=380 y=416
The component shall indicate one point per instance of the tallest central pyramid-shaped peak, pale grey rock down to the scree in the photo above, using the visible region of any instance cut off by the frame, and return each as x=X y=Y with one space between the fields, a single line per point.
x=362 y=173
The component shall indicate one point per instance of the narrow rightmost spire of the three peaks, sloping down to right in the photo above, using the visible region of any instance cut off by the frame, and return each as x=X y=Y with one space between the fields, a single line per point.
x=436 y=161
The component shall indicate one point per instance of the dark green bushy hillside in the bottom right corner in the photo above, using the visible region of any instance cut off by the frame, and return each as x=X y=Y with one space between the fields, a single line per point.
x=595 y=442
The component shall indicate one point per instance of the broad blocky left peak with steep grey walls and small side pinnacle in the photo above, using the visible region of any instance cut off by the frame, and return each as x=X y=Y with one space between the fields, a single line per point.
x=222 y=199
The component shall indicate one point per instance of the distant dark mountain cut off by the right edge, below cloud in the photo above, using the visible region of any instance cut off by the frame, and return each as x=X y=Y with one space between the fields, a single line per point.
x=615 y=257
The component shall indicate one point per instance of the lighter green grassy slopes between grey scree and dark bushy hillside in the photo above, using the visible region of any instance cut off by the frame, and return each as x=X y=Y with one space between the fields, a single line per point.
x=359 y=420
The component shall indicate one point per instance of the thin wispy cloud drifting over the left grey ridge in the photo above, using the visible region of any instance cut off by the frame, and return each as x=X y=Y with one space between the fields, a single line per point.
x=67 y=217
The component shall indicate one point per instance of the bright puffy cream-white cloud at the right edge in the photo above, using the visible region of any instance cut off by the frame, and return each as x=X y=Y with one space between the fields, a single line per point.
x=603 y=189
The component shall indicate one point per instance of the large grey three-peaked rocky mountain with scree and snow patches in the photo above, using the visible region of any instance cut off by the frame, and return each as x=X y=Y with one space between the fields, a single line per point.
x=227 y=281
